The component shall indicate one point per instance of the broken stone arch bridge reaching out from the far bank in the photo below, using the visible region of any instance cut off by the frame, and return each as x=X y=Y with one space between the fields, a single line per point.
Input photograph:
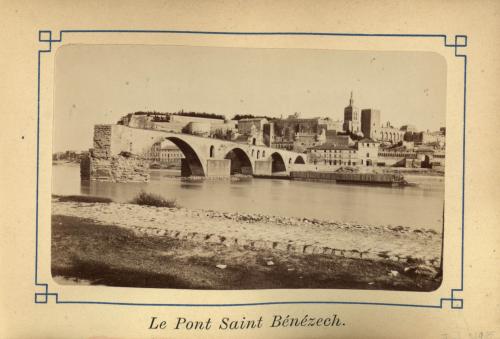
x=204 y=157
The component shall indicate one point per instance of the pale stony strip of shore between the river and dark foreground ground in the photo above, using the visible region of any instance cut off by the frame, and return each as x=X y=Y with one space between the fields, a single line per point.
x=393 y=241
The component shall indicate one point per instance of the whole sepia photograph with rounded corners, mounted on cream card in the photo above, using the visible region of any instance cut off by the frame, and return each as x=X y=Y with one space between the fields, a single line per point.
x=217 y=168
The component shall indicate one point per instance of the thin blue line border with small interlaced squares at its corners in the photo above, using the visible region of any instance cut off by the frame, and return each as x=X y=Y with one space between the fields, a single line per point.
x=459 y=41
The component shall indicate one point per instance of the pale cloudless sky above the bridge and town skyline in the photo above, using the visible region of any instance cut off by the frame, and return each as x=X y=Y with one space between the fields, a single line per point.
x=97 y=84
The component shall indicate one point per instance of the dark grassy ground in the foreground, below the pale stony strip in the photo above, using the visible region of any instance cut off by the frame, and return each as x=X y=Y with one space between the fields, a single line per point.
x=87 y=252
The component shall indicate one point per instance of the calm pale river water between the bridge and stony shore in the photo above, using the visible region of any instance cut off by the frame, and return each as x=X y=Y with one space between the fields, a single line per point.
x=420 y=206
